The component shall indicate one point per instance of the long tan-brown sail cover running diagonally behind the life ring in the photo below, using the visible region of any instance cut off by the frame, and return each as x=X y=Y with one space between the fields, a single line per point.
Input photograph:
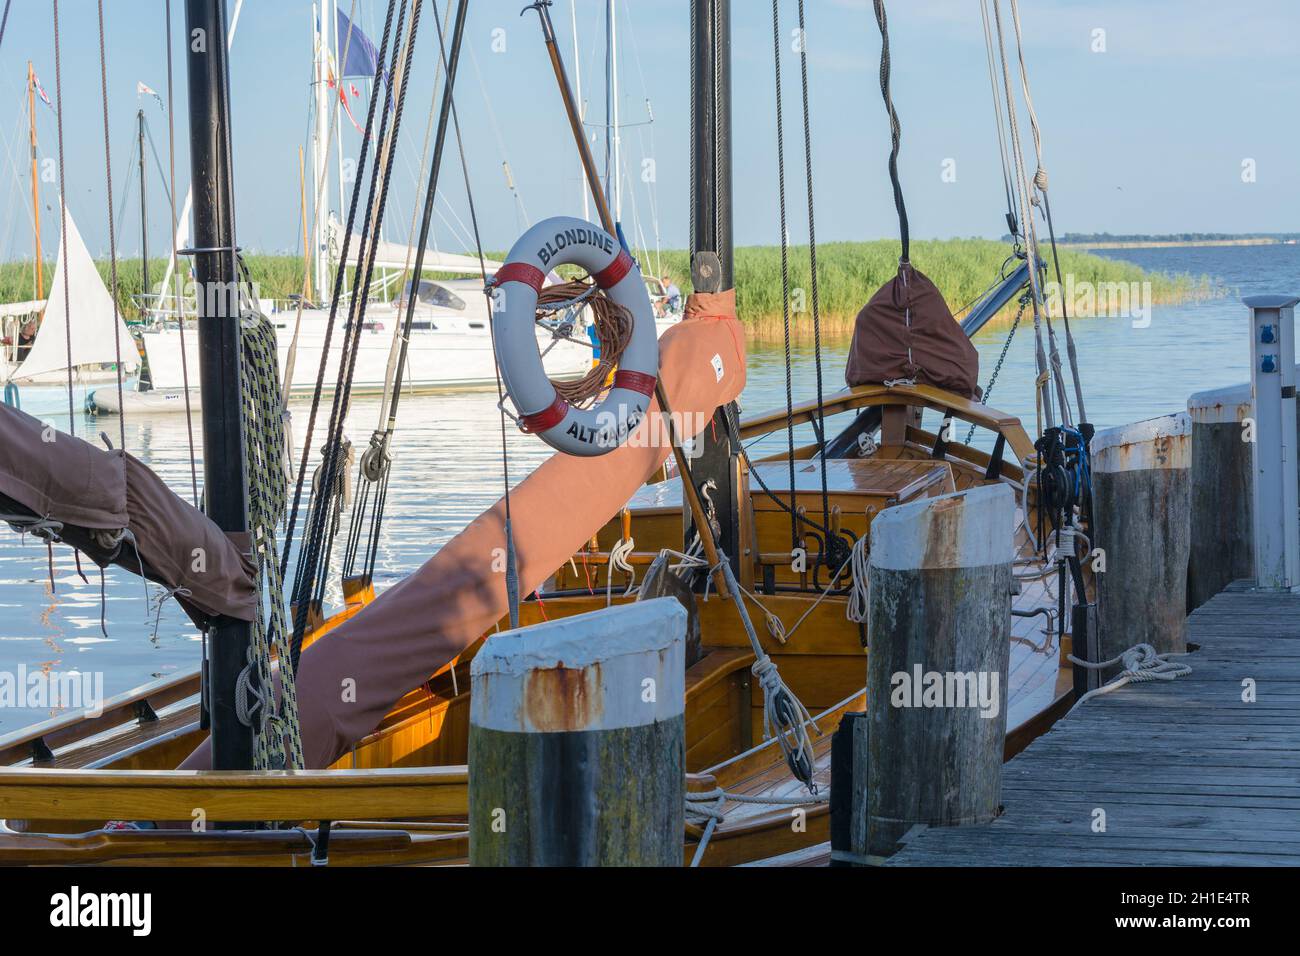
x=415 y=628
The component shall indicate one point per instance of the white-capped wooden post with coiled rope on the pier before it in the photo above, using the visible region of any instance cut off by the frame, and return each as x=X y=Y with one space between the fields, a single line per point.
x=1142 y=494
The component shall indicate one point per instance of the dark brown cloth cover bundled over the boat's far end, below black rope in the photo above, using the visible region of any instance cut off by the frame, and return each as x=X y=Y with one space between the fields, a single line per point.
x=908 y=332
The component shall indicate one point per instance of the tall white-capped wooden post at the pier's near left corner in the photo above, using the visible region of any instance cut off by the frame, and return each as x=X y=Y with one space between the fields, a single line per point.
x=941 y=625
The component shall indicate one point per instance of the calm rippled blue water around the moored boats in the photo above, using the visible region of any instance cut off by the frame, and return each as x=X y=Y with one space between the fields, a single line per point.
x=449 y=469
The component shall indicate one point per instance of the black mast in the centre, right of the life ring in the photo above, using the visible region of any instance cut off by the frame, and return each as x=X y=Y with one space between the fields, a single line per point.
x=712 y=256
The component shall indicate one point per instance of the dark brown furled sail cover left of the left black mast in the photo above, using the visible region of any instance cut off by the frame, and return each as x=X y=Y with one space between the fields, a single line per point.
x=97 y=495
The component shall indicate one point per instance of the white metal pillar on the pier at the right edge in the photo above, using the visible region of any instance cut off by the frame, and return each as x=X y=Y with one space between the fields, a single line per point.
x=1273 y=383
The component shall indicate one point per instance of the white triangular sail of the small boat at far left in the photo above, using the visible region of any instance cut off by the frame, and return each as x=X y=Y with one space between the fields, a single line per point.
x=98 y=331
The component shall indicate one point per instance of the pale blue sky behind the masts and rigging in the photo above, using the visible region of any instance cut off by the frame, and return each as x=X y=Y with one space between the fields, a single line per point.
x=1149 y=136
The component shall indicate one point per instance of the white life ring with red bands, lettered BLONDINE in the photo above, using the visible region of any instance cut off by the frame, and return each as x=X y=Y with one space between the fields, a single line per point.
x=586 y=432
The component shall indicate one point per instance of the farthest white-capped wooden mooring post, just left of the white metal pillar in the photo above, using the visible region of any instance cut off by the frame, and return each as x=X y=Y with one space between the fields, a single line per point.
x=1221 y=548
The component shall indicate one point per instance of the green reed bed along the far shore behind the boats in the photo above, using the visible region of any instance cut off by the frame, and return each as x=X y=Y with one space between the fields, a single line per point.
x=850 y=274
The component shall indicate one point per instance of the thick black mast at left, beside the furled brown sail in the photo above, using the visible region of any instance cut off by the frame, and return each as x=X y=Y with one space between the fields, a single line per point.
x=224 y=469
